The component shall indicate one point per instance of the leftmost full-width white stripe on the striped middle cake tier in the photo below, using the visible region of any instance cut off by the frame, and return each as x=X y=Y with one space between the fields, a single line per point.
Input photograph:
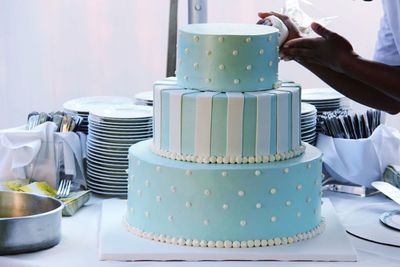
x=175 y=120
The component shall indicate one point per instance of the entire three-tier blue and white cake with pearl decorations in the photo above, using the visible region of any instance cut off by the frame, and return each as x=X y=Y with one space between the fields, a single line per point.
x=226 y=167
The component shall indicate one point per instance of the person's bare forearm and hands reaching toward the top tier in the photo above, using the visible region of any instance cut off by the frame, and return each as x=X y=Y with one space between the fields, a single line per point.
x=331 y=57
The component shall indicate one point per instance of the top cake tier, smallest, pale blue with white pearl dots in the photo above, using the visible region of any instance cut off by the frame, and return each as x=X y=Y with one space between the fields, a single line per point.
x=227 y=57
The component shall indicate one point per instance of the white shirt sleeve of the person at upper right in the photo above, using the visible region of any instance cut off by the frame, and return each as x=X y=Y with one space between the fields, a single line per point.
x=386 y=50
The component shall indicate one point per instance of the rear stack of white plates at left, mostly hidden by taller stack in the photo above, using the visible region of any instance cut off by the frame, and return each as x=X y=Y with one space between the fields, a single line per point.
x=82 y=106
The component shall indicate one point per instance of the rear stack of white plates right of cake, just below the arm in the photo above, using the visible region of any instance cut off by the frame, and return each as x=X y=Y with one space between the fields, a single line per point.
x=324 y=99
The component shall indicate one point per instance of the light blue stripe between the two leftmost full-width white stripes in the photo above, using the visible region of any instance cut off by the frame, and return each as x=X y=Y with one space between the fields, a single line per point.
x=188 y=123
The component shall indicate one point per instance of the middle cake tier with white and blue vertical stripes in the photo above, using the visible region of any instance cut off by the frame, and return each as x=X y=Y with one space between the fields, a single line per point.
x=232 y=127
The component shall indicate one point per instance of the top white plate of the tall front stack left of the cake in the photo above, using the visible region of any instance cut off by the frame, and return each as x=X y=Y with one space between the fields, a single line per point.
x=124 y=112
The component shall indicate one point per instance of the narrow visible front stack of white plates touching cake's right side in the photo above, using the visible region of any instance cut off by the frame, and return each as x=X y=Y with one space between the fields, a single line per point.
x=308 y=123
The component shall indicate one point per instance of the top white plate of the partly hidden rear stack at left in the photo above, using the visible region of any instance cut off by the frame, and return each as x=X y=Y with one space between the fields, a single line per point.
x=86 y=104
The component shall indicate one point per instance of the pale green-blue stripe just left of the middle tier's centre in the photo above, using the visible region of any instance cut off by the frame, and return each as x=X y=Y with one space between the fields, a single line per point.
x=218 y=124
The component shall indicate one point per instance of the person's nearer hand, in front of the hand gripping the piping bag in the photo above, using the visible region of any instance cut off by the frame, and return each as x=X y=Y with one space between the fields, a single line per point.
x=330 y=49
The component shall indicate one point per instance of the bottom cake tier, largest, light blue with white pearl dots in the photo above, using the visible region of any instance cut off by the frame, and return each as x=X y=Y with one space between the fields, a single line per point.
x=224 y=205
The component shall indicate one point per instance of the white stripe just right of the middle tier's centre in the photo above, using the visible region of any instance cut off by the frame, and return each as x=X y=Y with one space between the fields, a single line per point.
x=234 y=124
